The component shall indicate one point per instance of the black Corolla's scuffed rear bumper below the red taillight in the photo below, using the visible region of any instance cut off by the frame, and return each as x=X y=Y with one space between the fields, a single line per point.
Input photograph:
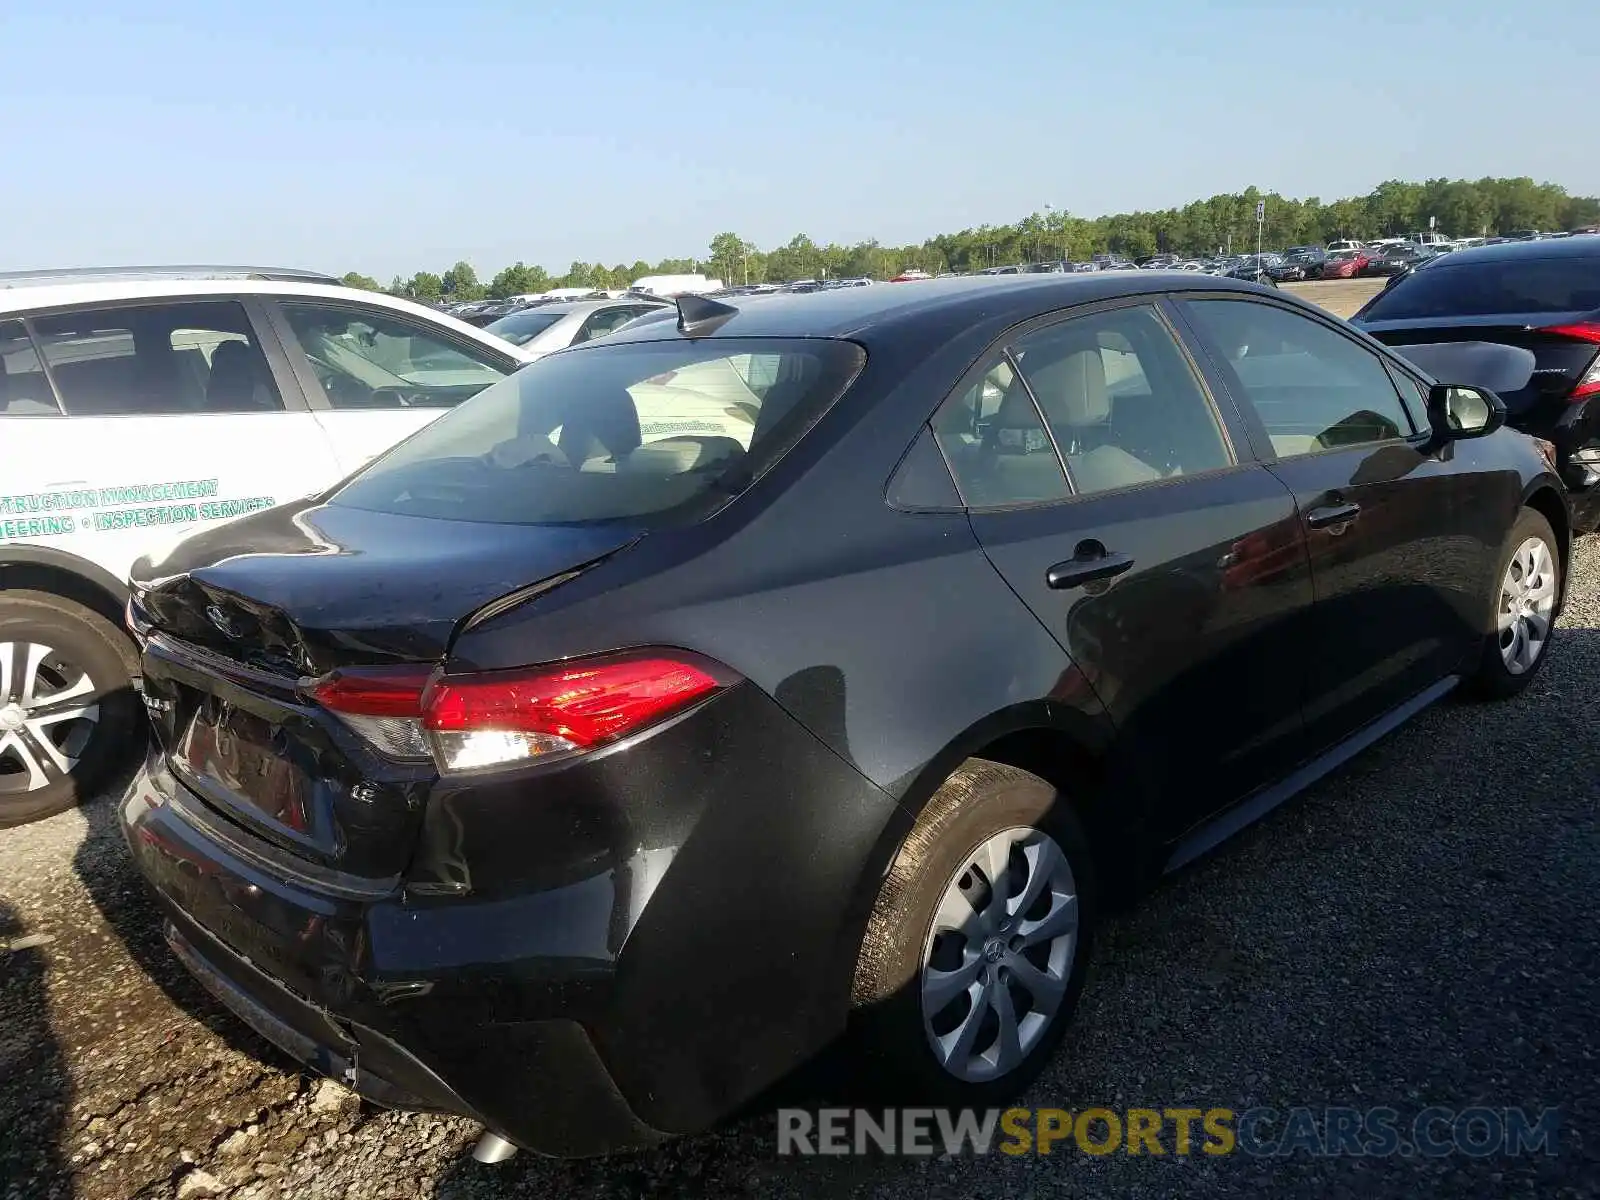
x=634 y=948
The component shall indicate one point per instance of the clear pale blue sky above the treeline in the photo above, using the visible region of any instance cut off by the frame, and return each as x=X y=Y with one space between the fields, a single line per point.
x=394 y=135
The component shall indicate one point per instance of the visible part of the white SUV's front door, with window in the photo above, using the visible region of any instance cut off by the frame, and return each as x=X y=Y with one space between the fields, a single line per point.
x=375 y=377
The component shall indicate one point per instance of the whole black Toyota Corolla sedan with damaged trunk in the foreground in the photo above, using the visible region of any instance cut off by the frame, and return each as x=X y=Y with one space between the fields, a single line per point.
x=815 y=666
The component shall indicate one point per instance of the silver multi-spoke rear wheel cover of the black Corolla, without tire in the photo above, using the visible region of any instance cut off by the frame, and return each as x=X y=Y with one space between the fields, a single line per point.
x=999 y=954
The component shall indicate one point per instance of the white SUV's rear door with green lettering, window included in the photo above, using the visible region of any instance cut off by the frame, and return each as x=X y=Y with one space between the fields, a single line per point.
x=174 y=415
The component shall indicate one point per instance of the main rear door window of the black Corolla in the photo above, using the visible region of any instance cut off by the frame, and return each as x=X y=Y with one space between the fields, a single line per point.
x=1121 y=399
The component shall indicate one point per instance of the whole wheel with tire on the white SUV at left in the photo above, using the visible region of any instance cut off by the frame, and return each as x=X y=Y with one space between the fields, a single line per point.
x=70 y=718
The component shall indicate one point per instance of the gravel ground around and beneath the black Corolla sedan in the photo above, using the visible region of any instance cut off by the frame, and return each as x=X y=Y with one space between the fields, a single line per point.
x=1415 y=930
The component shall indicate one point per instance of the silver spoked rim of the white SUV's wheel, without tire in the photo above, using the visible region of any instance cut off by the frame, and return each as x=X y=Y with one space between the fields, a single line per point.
x=46 y=722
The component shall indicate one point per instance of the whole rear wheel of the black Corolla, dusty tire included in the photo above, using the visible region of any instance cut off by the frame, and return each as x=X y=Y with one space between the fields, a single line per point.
x=924 y=983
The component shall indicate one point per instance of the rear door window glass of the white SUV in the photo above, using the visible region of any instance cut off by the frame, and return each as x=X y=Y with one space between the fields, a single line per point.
x=191 y=358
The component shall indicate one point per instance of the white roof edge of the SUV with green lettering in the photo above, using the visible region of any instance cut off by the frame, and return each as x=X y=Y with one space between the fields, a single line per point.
x=76 y=295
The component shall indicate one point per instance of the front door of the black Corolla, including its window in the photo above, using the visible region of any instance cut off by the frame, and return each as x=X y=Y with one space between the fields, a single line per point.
x=1399 y=569
